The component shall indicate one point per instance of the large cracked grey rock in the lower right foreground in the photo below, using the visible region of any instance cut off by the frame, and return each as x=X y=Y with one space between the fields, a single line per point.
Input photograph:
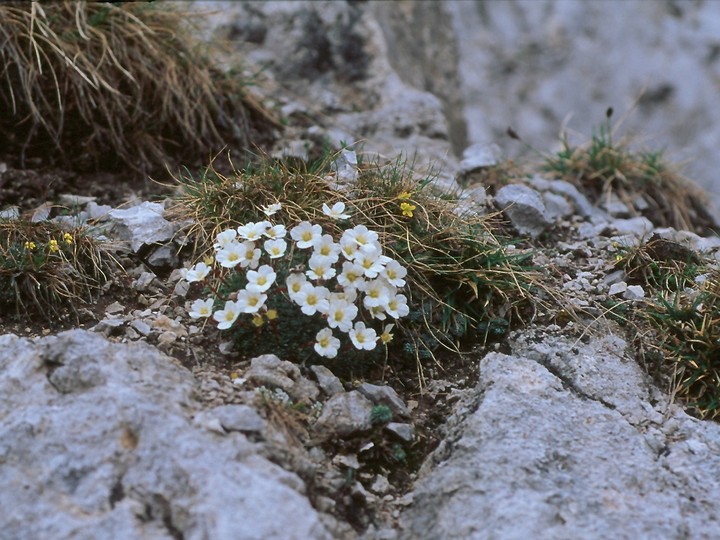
x=562 y=439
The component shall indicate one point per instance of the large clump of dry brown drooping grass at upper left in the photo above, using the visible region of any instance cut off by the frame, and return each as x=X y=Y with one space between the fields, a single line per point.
x=97 y=85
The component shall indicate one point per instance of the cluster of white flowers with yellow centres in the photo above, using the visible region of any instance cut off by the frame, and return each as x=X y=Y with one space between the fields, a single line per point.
x=349 y=283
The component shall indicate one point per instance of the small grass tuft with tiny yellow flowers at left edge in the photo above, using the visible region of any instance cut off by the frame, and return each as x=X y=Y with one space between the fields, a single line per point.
x=44 y=268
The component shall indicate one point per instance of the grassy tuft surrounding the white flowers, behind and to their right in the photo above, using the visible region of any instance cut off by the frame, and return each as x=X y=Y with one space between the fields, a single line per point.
x=461 y=282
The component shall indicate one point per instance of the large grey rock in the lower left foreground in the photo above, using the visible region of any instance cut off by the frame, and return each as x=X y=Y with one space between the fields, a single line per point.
x=97 y=441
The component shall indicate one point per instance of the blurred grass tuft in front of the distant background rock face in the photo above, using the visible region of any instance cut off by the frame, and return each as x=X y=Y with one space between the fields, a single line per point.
x=604 y=167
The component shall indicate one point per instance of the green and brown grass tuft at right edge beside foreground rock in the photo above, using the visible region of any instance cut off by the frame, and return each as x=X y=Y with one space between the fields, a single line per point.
x=678 y=326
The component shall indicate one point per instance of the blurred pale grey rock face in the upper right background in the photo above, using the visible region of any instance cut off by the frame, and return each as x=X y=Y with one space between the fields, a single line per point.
x=535 y=64
